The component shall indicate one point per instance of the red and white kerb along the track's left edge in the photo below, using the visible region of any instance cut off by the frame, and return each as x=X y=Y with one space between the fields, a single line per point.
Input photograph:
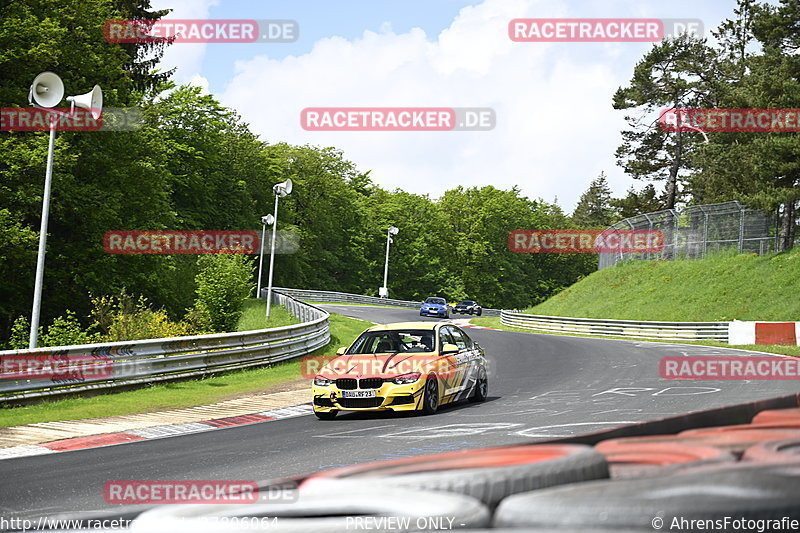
x=153 y=432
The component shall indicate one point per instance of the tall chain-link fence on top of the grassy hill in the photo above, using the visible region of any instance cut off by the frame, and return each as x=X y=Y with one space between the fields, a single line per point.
x=695 y=231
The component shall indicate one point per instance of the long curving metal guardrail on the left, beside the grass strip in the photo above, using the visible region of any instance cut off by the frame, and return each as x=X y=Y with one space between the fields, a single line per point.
x=117 y=364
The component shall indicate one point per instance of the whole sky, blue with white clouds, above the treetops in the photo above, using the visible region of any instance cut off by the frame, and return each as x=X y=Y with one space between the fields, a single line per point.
x=556 y=129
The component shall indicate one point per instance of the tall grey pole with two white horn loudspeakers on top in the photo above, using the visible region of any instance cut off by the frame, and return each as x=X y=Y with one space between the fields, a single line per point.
x=46 y=91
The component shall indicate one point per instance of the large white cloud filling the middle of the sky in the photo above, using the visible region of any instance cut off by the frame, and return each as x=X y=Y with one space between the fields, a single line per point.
x=555 y=130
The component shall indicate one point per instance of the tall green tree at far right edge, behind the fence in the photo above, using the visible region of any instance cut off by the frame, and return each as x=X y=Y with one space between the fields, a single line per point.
x=767 y=169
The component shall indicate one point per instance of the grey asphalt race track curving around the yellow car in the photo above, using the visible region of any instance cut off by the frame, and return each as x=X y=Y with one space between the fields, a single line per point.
x=540 y=386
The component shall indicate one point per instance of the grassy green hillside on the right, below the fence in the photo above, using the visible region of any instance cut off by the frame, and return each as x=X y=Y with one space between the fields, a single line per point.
x=724 y=286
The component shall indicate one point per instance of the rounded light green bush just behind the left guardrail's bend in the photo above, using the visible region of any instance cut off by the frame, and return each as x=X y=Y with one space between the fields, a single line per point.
x=223 y=284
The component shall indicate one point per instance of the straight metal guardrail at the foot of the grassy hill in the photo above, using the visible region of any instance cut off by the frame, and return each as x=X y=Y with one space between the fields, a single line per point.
x=619 y=328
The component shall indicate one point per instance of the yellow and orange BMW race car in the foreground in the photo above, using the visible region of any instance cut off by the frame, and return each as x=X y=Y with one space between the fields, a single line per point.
x=408 y=366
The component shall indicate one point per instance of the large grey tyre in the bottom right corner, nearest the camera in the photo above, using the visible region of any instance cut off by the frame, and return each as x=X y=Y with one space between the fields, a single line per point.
x=758 y=492
